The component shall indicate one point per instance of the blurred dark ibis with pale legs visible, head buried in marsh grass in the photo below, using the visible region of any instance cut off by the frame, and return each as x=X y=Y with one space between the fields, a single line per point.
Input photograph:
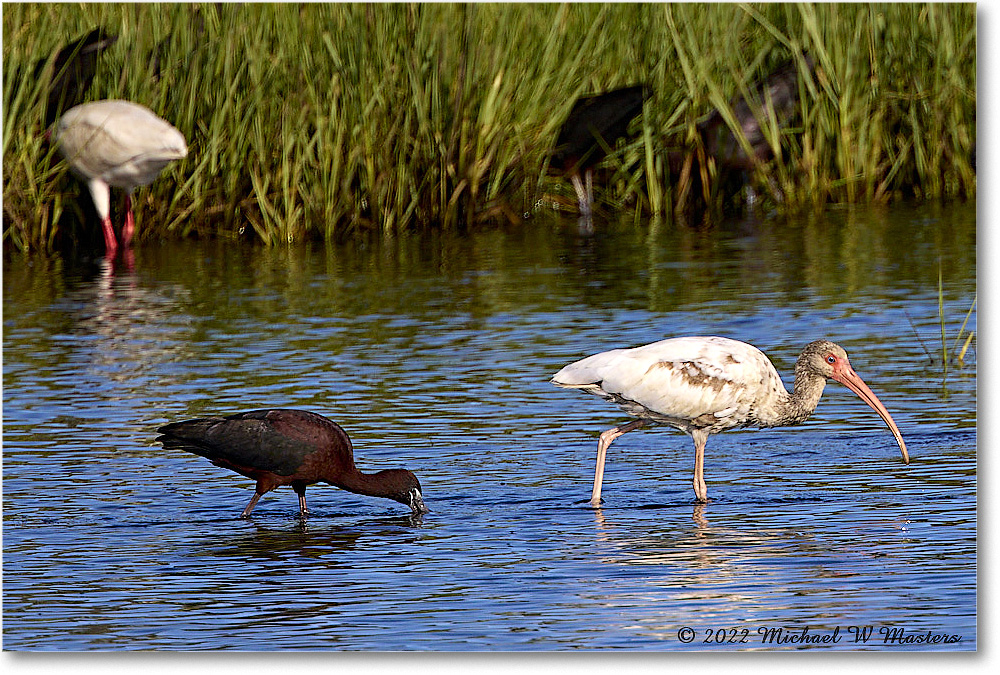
x=593 y=126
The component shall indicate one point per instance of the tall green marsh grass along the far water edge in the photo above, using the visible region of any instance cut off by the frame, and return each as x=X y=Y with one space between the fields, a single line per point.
x=320 y=119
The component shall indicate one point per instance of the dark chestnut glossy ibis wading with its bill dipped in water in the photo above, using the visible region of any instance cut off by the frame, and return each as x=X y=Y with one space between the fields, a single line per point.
x=288 y=447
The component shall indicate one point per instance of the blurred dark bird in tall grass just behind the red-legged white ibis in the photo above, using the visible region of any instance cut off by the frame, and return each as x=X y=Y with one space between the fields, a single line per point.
x=73 y=71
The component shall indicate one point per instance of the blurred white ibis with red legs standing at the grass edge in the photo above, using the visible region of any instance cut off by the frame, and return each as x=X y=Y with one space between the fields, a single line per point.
x=117 y=144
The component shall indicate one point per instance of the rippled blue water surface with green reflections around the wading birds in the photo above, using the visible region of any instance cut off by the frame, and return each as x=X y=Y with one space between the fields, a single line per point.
x=434 y=353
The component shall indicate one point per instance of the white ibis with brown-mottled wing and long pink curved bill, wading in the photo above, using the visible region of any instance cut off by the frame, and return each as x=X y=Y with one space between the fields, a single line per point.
x=704 y=385
